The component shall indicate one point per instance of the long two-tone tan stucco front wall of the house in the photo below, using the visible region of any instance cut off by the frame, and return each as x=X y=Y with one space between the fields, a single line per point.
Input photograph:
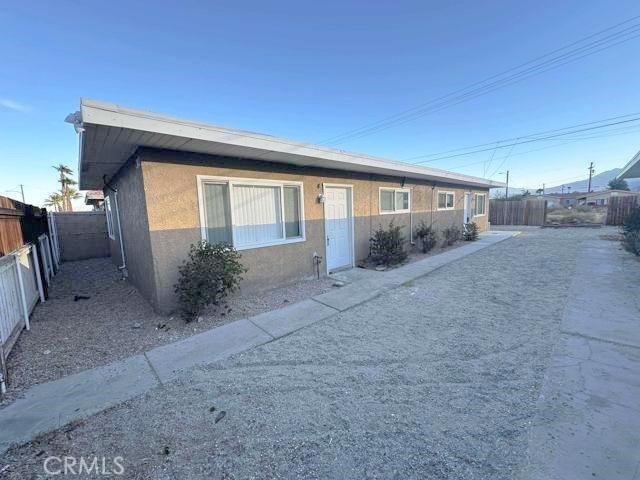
x=170 y=189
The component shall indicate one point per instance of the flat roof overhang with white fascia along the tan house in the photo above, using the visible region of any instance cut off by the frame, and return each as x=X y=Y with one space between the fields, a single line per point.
x=110 y=134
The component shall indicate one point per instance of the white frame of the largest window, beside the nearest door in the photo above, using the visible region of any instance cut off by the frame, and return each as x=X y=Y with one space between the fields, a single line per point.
x=230 y=182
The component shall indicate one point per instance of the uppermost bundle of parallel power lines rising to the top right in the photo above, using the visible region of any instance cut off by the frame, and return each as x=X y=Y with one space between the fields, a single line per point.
x=420 y=109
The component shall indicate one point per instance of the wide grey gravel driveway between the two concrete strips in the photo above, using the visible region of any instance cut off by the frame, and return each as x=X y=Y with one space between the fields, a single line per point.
x=437 y=379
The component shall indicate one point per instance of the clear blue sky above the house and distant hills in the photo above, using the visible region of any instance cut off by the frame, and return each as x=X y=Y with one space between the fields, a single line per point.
x=312 y=70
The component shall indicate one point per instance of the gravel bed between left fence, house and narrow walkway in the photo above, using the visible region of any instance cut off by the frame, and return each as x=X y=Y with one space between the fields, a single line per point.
x=68 y=336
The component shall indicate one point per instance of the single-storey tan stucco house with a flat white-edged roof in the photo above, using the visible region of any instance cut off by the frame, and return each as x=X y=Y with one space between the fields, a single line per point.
x=169 y=183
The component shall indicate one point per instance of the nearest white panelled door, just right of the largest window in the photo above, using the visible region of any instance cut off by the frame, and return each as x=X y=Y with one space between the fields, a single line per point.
x=337 y=225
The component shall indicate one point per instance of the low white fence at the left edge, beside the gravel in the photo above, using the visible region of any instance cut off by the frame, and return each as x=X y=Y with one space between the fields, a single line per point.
x=21 y=286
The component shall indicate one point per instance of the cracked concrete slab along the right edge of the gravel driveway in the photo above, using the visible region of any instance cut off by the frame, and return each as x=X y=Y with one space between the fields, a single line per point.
x=588 y=421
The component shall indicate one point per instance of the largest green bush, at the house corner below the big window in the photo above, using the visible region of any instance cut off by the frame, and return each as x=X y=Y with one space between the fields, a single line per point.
x=209 y=274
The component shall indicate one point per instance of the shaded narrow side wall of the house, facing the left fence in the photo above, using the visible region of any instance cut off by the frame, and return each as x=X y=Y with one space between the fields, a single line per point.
x=135 y=229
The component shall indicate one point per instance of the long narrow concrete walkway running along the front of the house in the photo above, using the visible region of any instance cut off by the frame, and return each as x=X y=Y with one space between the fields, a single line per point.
x=51 y=405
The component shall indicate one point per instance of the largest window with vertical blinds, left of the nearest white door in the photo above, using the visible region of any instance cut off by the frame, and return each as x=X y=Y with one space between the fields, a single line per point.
x=249 y=213
